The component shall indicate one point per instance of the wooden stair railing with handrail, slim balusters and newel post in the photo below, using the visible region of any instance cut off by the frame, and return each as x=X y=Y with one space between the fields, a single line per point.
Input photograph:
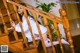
x=56 y=20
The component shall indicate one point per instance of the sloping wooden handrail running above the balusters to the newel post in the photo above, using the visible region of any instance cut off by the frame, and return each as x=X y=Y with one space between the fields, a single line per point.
x=47 y=15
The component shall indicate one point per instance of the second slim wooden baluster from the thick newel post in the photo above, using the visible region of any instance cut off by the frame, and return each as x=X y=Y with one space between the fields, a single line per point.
x=50 y=36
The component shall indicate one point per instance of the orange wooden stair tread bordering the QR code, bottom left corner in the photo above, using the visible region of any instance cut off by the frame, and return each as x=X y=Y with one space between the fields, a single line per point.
x=14 y=48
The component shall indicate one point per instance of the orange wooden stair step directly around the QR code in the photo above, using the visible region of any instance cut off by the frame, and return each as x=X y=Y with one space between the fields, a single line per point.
x=15 y=48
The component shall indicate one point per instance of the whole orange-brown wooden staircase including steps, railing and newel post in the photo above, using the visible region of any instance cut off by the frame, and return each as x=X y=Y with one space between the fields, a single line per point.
x=17 y=44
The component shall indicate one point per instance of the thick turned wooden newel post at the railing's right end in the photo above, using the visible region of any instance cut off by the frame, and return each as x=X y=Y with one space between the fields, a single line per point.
x=67 y=29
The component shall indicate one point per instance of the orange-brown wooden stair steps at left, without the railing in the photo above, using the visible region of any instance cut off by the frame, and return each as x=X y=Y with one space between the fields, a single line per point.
x=5 y=39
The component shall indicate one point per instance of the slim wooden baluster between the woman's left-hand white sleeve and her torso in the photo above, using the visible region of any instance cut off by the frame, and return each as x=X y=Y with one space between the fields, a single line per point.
x=23 y=34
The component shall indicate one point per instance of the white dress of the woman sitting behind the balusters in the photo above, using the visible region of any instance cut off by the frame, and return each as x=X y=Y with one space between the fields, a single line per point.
x=33 y=26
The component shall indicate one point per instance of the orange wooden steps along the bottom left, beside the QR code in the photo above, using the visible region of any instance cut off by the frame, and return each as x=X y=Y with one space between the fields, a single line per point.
x=16 y=46
